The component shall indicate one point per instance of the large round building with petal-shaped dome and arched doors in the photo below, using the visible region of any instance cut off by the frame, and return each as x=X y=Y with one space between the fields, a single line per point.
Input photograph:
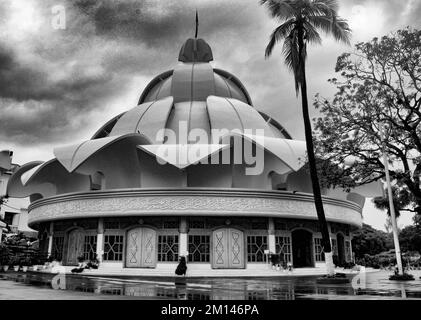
x=195 y=170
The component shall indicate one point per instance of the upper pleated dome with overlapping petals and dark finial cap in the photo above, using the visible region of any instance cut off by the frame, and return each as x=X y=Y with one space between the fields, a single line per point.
x=194 y=95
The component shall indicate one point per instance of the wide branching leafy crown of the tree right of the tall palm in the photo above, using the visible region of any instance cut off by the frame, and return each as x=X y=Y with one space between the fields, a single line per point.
x=380 y=86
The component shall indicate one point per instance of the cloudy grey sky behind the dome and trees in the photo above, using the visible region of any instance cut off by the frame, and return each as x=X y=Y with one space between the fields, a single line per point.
x=58 y=86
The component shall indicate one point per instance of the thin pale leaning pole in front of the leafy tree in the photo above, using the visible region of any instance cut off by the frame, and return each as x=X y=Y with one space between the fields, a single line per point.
x=391 y=206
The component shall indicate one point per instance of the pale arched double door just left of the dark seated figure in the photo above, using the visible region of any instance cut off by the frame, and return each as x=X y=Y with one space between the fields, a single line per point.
x=141 y=248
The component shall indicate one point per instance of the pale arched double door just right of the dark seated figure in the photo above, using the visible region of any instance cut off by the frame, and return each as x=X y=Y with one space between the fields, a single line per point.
x=228 y=249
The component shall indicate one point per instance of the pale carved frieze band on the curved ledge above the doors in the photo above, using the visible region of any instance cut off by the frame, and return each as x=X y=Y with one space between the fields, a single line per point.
x=209 y=205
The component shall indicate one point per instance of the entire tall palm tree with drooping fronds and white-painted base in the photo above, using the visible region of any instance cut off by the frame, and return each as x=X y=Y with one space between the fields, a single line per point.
x=302 y=20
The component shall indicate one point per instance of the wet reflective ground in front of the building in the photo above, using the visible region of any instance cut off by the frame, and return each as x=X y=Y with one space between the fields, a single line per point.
x=370 y=285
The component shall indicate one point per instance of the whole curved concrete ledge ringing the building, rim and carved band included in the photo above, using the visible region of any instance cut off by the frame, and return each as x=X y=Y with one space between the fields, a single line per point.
x=191 y=202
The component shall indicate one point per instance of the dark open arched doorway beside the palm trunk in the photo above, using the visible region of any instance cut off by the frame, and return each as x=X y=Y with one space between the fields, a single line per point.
x=302 y=253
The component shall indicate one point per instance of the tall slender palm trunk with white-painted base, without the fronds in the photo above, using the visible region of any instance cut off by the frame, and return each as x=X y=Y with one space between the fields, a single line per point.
x=313 y=171
